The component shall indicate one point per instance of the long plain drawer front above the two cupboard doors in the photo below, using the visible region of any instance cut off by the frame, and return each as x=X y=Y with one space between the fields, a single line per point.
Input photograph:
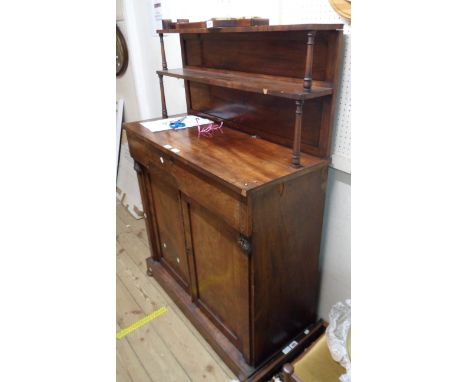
x=231 y=208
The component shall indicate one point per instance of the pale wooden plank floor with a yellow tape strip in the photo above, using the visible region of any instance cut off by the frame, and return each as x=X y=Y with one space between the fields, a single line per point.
x=168 y=348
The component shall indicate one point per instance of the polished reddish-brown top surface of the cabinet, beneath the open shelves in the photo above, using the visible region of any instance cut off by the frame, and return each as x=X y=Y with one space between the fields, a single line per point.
x=235 y=159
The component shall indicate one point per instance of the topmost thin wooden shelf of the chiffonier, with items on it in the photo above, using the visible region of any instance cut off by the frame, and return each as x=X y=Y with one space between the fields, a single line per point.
x=259 y=28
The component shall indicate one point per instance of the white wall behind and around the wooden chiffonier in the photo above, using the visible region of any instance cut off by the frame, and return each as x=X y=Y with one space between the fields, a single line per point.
x=336 y=252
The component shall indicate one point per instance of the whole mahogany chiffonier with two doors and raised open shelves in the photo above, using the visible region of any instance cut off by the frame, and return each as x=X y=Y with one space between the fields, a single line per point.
x=234 y=219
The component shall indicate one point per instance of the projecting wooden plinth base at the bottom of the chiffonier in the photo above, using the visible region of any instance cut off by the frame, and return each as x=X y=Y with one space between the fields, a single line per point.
x=225 y=349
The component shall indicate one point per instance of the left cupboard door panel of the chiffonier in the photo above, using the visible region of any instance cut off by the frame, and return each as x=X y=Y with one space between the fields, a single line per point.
x=168 y=214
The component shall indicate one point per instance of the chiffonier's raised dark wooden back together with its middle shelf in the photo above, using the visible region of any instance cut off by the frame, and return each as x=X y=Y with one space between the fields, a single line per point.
x=251 y=81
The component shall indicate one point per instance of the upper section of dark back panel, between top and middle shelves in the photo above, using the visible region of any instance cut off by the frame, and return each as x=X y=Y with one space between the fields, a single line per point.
x=273 y=53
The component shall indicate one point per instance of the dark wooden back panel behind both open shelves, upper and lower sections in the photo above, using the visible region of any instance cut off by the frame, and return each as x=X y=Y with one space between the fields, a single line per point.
x=281 y=53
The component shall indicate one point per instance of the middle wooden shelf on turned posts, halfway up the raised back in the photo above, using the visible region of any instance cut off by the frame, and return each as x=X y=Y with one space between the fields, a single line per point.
x=257 y=83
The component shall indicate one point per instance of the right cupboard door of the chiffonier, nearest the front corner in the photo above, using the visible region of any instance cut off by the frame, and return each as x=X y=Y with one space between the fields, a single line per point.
x=222 y=273
